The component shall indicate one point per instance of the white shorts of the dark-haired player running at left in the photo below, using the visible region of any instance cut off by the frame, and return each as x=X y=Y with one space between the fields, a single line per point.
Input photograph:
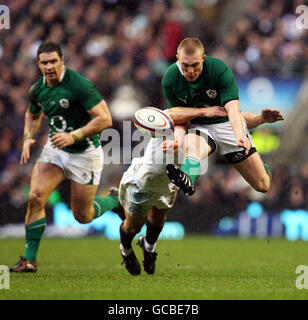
x=84 y=167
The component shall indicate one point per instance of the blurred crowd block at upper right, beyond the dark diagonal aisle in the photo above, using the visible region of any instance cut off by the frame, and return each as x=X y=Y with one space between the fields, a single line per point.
x=265 y=40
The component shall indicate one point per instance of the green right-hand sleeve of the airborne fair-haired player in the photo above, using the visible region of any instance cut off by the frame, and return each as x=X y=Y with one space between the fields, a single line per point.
x=229 y=88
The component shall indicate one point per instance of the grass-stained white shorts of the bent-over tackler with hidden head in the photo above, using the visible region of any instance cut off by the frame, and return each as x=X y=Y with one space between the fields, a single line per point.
x=141 y=189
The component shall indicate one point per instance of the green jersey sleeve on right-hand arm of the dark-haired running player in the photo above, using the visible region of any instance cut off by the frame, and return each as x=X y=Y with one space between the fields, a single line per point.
x=88 y=94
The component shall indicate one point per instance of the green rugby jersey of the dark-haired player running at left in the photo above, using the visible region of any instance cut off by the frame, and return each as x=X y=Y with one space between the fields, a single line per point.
x=66 y=105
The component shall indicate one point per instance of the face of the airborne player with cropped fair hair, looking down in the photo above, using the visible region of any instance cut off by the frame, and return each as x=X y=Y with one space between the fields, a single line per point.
x=191 y=64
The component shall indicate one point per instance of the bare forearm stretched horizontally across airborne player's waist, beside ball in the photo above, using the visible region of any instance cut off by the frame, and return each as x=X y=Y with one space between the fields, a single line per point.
x=181 y=115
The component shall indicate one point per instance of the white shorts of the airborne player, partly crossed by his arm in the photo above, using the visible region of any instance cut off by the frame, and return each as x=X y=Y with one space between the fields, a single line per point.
x=223 y=135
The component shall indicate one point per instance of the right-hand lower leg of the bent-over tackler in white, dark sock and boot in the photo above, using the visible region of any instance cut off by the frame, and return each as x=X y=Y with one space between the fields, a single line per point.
x=155 y=222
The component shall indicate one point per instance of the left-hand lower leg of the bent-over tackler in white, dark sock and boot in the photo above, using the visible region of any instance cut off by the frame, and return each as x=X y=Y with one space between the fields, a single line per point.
x=128 y=229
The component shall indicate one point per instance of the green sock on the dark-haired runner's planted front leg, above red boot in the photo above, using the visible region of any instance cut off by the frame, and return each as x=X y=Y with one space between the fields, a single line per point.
x=34 y=232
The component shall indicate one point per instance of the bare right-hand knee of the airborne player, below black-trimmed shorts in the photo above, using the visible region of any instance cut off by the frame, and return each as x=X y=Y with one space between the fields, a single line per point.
x=255 y=172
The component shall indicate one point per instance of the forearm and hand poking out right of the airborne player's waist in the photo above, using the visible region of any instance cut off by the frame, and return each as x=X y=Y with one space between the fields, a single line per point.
x=267 y=115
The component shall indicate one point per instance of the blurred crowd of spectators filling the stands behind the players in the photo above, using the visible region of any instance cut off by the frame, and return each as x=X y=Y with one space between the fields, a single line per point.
x=124 y=47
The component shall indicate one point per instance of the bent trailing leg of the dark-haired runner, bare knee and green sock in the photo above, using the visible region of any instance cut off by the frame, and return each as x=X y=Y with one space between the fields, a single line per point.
x=86 y=206
